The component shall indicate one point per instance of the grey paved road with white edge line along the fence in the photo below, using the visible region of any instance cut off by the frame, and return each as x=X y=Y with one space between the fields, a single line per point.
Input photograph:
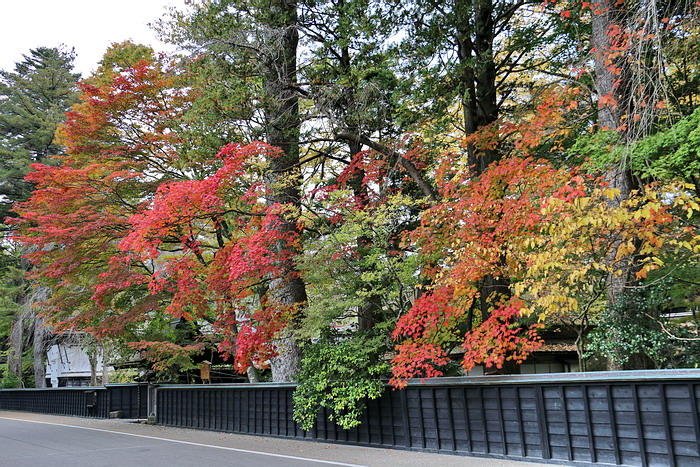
x=44 y=440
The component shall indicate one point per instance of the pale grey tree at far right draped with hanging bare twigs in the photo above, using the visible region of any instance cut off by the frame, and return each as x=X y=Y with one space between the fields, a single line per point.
x=628 y=48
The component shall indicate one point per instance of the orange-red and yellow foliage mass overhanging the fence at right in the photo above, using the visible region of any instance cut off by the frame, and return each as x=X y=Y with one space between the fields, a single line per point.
x=551 y=234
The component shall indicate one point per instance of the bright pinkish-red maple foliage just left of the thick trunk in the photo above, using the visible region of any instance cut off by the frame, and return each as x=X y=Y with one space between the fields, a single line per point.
x=215 y=264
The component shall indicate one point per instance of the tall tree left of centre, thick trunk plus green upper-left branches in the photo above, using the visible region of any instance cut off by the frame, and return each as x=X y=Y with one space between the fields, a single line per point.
x=266 y=35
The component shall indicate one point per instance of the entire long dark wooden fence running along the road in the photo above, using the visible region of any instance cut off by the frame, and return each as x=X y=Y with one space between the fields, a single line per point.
x=626 y=418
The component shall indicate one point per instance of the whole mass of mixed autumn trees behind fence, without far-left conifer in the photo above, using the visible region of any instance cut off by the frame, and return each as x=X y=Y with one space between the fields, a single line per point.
x=349 y=191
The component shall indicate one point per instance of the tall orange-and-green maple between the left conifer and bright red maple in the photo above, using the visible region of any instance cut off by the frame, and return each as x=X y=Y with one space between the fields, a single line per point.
x=120 y=144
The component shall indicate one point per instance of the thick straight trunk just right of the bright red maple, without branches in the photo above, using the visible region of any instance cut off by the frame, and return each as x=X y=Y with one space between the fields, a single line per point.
x=282 y=128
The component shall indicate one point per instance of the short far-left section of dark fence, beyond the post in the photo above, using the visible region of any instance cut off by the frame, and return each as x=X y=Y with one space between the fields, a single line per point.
x=96 y=402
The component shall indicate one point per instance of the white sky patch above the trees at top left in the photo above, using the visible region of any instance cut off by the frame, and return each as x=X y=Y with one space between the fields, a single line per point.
x=89 y=26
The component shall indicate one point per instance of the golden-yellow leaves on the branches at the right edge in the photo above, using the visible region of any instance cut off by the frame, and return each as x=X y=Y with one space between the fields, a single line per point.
x=584 y=240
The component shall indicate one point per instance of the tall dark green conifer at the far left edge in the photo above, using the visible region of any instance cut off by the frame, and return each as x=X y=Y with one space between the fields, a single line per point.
x=33 y=99
